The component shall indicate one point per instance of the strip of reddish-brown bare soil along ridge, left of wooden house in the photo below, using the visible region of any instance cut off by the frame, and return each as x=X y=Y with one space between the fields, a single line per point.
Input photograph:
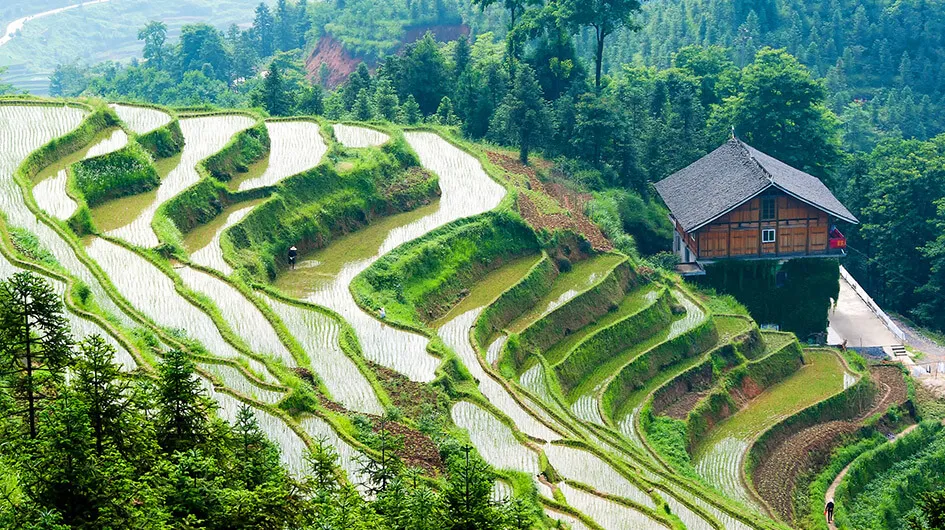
x=575 y=220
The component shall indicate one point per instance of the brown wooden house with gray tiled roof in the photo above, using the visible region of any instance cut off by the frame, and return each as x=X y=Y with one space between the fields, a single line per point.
x=739 y=203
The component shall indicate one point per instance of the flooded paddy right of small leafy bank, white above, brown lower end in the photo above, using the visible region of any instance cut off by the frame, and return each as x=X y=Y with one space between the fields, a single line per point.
x=203 y=137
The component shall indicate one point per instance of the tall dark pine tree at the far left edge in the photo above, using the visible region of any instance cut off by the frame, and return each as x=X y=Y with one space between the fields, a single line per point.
x=35 y=344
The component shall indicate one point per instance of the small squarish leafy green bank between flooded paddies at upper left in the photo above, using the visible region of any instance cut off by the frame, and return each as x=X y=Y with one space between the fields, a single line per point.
x=128 y=171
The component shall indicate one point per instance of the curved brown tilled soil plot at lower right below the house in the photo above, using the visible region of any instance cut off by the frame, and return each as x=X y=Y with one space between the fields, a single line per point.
x=808 y=449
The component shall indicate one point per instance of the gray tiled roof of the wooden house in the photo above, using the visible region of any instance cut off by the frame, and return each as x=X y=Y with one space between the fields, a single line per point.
x=733 y=174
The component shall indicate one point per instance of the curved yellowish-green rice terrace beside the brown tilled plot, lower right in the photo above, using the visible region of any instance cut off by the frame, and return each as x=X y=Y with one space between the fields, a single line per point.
x=719 y=458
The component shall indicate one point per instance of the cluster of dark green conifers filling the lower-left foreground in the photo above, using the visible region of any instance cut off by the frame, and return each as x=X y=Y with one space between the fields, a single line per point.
x=85 y=446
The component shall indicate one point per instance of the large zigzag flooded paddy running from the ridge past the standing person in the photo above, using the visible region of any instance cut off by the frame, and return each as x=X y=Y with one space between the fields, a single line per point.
x=466 y=190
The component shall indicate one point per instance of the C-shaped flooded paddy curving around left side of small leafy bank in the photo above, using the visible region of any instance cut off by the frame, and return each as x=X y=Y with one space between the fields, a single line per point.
x=50 y=189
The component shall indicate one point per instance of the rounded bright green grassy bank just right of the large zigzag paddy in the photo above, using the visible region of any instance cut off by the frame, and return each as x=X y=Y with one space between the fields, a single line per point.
x=421 y=280
